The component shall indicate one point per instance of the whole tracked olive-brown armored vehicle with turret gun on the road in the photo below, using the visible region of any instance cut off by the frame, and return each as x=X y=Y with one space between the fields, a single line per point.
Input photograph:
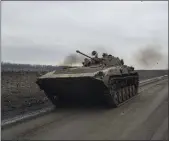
x=106 y=79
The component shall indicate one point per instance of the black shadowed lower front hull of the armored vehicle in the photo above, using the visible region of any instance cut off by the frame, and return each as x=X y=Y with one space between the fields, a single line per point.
x=77 y=88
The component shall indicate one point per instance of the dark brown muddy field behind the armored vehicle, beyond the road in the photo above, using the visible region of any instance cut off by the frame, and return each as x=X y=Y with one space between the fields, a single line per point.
x=20 y=94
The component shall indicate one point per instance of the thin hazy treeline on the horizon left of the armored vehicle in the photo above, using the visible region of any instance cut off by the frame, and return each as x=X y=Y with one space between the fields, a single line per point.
x=27 y=67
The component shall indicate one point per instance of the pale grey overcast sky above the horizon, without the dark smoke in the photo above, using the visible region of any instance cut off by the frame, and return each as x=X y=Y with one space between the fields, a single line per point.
x=40 y=32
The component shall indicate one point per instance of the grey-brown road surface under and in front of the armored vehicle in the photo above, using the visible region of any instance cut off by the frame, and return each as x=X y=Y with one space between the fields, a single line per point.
x=145 y=117
